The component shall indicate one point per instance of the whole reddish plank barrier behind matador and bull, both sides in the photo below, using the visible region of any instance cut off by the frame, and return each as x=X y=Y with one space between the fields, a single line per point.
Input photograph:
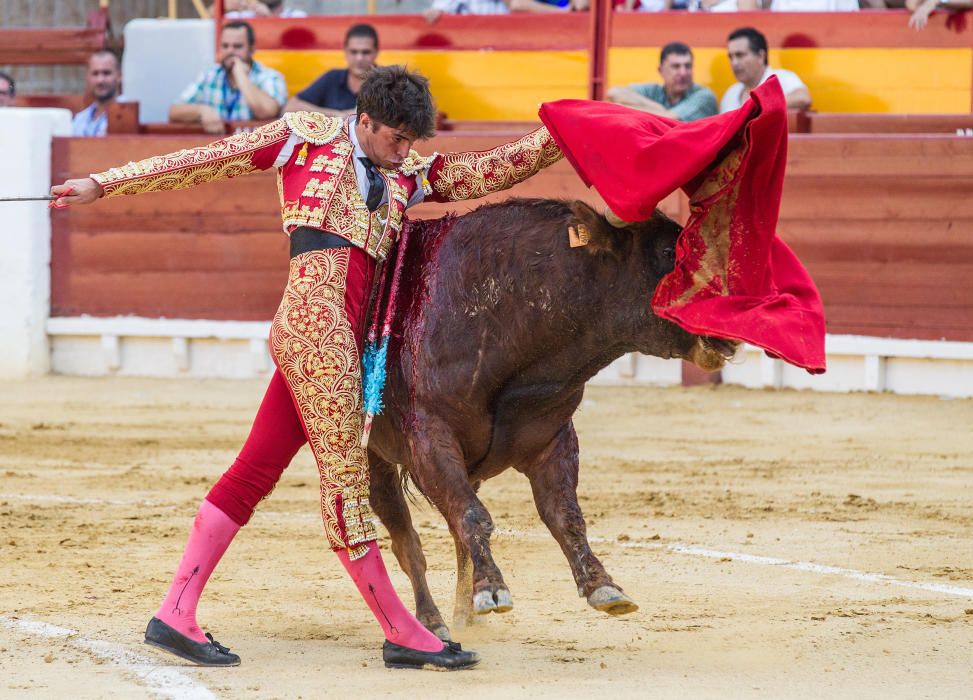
x=883 y=223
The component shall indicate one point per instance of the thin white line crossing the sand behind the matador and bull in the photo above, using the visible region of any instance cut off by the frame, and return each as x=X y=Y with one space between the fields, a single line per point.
x=691 y=550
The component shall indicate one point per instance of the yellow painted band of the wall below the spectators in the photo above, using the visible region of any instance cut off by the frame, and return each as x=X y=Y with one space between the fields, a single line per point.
x=511 y=84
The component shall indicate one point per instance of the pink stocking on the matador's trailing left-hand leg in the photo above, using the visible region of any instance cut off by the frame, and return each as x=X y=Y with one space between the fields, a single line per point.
x=213 y=530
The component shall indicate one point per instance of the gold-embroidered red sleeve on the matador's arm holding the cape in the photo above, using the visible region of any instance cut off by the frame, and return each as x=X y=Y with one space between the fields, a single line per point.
x=458 y=176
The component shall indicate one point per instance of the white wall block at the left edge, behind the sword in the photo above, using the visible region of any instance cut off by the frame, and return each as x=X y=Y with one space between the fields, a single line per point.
x=25 y=237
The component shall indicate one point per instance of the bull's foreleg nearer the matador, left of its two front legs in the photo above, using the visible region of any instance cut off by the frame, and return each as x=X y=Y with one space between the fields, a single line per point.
x=441 y=474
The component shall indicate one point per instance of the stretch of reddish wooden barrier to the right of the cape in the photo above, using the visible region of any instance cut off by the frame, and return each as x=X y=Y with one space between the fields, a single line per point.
x=884 y=225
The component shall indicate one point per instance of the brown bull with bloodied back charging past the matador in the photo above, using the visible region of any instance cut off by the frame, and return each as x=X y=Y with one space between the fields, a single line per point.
x=499 y=324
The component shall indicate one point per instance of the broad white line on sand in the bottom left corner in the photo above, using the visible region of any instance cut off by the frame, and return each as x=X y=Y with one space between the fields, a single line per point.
x=159 y=679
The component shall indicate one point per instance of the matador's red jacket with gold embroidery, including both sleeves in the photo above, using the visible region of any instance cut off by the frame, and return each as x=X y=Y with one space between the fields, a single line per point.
x=317 y=184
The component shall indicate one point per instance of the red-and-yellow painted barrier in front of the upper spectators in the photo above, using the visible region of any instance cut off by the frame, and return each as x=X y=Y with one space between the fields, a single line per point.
x=502 y=67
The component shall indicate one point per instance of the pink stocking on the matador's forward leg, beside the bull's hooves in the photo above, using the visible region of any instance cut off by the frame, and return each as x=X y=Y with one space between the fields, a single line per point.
x=400 y=626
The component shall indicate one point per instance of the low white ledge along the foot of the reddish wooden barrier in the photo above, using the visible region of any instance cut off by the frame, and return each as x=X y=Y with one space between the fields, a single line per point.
x=174 y=348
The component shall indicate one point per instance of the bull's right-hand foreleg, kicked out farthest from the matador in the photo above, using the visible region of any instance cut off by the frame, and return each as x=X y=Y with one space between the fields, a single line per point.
x=554 y=481
